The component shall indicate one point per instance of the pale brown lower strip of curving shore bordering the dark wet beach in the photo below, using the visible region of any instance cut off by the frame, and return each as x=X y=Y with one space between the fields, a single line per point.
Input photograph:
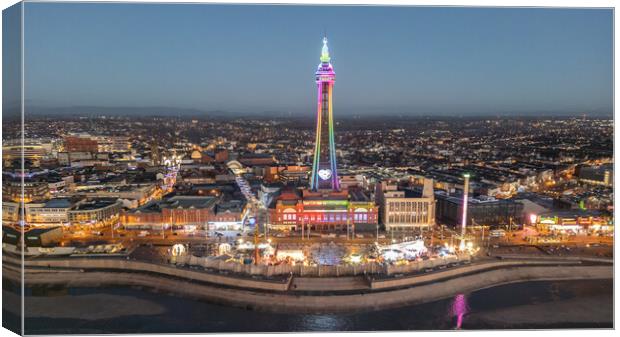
x=420 y=289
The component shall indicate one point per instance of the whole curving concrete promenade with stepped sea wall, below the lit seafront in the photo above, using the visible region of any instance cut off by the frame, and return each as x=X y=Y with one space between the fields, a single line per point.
x=312 y=295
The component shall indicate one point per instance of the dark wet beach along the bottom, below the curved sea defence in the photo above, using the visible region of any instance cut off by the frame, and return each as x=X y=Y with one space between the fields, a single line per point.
x=539 y=305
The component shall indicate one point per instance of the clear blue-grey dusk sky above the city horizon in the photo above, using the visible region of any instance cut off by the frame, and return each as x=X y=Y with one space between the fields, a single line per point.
x=253 y=59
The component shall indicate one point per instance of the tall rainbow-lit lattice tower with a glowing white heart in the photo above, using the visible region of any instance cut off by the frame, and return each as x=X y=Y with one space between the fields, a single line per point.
x=324 y=170
